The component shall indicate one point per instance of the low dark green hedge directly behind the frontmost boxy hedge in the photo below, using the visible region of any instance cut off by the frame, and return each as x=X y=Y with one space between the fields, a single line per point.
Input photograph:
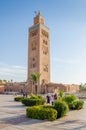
x=33 y=102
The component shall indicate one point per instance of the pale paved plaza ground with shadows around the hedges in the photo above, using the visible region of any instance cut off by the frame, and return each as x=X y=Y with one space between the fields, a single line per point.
x=12 y=117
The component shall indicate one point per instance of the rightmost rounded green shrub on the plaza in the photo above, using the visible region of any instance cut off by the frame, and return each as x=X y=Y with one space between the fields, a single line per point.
x=76 y=105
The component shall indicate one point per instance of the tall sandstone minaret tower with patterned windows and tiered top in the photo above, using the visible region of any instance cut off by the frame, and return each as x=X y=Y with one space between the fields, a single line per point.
x=39 y=50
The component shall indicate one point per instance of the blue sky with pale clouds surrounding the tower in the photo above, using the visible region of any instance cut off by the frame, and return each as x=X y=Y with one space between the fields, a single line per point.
x=67 y=22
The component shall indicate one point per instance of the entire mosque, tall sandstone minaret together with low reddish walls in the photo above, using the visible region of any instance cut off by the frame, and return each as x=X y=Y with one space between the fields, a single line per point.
x=38 y=61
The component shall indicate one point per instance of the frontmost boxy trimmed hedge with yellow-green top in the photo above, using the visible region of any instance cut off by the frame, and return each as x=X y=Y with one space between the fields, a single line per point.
x=40 y=112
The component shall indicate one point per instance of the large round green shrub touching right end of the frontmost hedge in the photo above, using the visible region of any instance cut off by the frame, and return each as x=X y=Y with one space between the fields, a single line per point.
x=61 y=107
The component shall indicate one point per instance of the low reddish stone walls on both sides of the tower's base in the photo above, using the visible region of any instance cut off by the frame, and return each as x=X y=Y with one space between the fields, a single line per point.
x=47 y=88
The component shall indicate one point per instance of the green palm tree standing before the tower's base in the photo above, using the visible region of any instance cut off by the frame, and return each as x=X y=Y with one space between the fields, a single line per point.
x=35 y=77
